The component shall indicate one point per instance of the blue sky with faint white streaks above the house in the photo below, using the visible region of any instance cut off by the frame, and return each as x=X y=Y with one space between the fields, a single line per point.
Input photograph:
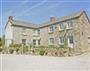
x=39 y=11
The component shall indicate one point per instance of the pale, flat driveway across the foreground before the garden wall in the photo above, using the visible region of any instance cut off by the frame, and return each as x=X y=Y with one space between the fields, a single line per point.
x=44 y=63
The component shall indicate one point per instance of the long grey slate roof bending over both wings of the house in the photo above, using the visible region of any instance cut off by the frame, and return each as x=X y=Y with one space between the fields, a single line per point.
x=21 y=23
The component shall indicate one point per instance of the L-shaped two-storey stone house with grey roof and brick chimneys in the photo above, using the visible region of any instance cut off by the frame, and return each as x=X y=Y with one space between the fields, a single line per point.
x=75 y=28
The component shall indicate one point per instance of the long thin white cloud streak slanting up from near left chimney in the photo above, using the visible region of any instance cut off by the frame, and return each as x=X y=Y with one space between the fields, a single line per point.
x=27 y=10
